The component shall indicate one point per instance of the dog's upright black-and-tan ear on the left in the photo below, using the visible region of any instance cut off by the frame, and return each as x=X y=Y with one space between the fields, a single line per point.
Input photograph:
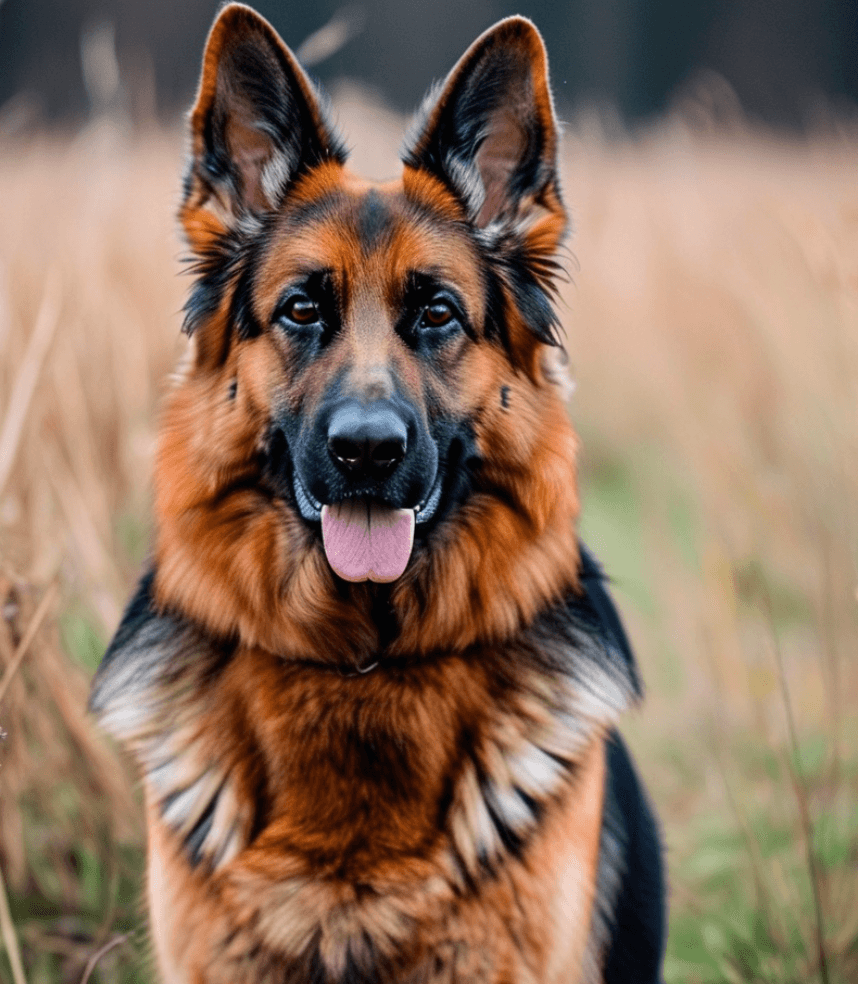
x=257 y=124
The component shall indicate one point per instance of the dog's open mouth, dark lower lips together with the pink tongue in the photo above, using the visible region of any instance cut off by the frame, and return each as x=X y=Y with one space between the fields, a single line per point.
x=365 y=539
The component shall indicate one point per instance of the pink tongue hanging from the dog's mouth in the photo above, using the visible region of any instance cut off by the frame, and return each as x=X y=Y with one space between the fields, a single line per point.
x=367 y=542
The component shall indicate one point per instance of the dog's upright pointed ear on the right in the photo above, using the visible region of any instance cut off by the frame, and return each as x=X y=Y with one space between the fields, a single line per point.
x=490 y=135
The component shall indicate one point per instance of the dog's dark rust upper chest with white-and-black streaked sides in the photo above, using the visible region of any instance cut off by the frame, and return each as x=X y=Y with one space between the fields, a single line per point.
x=354 y=776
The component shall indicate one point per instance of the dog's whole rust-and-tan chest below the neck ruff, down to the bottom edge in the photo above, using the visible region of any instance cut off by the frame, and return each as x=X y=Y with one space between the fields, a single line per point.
x=399 y=826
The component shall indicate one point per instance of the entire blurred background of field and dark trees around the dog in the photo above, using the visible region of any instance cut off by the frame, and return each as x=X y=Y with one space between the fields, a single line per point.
x=710 y=164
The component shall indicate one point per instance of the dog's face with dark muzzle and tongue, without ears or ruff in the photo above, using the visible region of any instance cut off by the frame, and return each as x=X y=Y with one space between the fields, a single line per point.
x=371 y=309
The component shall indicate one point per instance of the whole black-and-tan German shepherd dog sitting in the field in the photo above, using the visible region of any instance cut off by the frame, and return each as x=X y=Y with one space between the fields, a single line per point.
x=371 y=677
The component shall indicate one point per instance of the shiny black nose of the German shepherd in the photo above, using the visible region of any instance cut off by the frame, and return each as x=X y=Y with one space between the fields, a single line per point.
x=367 y=442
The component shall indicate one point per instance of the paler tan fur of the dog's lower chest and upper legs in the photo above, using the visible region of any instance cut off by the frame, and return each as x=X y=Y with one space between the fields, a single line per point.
x=522 y=918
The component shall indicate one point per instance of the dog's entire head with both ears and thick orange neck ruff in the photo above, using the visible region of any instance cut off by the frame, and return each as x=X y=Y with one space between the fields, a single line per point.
x=369 y=396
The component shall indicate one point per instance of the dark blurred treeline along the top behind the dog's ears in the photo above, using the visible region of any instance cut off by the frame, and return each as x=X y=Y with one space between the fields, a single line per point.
x=784 y=59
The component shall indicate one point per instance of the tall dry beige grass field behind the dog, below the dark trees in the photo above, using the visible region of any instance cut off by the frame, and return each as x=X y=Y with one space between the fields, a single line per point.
x=713 y=333
